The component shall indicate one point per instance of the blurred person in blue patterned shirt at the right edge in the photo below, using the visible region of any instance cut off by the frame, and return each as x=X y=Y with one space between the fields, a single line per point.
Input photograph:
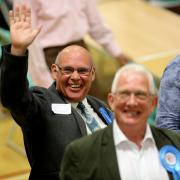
x=168 y=109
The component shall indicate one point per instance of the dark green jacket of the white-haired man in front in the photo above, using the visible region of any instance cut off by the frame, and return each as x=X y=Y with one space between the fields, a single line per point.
x=94 y=157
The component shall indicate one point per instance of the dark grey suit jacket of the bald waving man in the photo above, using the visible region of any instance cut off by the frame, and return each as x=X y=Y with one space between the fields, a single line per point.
x=45 y=133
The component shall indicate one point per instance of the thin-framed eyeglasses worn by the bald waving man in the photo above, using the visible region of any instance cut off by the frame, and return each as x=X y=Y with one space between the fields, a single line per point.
x=67 y=70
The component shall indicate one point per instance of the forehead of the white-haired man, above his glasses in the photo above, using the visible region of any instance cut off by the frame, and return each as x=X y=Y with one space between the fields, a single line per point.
x=133 y=80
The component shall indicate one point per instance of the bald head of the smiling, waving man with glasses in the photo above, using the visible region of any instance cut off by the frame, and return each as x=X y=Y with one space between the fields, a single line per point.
x=73 y=72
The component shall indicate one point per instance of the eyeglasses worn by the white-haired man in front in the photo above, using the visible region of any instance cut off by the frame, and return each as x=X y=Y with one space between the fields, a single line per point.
x=139 y=95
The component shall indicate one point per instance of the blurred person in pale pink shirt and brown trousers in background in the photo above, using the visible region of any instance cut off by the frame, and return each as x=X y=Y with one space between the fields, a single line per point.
x=66 y=22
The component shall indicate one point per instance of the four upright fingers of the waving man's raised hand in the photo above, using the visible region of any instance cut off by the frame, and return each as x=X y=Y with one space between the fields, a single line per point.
x=20 y=14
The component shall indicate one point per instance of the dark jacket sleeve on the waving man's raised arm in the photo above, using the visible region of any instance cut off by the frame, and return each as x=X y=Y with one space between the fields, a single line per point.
x=14 y=89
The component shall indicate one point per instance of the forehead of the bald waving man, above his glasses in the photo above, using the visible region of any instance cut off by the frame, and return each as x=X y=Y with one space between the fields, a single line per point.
x=75 y=57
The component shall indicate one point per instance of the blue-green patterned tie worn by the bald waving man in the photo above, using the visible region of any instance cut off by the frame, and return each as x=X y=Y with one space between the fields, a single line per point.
x=90 y=121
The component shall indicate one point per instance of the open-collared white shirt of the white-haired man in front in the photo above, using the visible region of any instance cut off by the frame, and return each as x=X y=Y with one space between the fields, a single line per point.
x=135 y=163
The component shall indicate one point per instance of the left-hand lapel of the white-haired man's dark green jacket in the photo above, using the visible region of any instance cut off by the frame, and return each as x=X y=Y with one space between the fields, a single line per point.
x=108 y=151
